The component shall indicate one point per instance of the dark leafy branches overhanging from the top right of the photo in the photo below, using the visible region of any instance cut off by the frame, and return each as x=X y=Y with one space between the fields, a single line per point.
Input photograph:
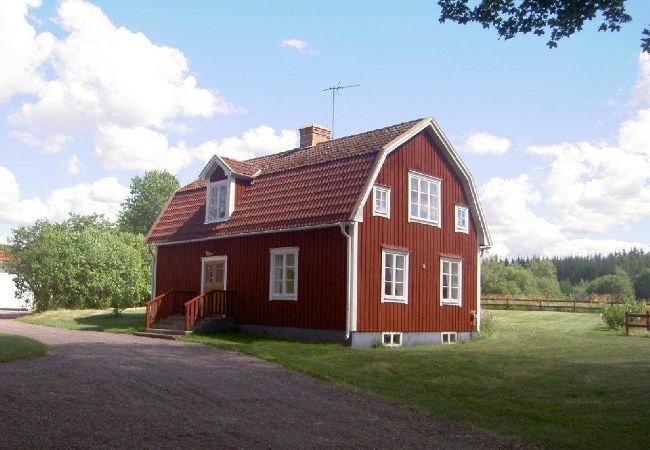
x=562 y=18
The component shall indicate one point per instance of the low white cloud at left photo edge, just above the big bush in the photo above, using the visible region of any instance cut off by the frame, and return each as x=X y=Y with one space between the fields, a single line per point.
x=103 y=196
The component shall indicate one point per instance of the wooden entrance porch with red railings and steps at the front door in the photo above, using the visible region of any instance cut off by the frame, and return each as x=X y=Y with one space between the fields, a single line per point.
x=179 y=312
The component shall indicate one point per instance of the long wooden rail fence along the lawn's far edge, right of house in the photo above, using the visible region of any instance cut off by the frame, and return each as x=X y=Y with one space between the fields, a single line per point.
x=529 y=303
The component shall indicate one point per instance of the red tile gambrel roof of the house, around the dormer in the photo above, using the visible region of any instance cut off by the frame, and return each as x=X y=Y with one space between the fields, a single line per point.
x=303 y=187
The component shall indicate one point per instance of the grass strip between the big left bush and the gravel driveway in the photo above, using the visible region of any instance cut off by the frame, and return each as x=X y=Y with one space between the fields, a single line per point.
x=131 y=320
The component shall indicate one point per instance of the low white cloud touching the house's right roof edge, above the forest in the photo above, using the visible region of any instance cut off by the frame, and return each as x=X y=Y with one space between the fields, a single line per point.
x=518 y=231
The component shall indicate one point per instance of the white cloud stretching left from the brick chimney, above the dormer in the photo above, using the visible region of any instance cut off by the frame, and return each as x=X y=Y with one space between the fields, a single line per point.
x=140 y=148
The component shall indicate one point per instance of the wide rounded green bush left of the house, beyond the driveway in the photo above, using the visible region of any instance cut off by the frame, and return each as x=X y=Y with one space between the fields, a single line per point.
x=83 y=262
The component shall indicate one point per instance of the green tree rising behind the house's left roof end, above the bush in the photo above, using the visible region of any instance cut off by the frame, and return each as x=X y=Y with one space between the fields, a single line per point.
x=148 y=196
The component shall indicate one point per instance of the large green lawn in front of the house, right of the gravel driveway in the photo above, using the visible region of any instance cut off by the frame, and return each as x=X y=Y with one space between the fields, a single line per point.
x=559 y=380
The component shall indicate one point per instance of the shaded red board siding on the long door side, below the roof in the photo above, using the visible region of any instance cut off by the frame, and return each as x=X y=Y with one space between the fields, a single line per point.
x=321 y=276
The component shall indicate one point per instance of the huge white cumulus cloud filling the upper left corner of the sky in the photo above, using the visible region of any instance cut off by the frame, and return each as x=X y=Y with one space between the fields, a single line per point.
x=99 y=74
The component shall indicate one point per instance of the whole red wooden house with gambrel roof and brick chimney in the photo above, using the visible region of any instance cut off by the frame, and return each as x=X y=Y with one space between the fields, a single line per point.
x=368 y=238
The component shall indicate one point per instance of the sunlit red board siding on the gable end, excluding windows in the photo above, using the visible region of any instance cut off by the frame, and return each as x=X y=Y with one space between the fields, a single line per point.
x=425 y=244
